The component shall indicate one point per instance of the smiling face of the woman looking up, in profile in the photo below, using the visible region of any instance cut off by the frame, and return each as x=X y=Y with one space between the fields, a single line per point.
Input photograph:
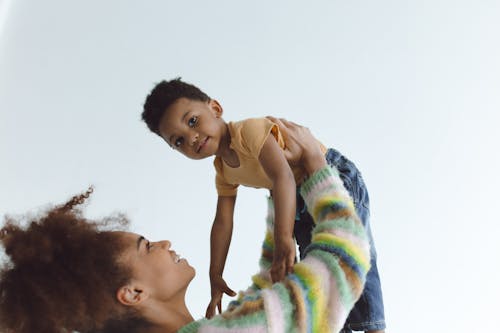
x=156 y=267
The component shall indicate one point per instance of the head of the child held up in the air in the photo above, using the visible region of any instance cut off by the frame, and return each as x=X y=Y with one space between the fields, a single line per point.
x=185 y=117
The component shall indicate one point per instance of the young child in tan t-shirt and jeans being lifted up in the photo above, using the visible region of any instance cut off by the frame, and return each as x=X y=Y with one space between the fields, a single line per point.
x=252 y=153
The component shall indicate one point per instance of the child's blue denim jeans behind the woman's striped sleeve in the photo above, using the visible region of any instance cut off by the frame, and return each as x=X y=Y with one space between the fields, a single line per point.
x=368 y=312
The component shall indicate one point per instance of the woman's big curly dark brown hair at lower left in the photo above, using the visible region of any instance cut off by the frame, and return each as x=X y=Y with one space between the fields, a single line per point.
x=62 y=272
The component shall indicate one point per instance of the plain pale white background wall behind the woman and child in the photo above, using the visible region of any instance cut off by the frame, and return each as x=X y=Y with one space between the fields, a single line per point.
x=409 y=90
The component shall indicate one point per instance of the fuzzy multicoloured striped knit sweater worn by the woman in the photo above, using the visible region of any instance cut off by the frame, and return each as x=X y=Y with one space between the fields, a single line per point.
x=319 y=294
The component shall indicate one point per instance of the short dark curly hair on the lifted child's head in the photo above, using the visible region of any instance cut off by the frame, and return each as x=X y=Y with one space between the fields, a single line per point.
x=165 y=94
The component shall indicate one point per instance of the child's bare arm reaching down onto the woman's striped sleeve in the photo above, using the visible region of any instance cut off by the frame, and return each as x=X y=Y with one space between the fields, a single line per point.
x=276 y=166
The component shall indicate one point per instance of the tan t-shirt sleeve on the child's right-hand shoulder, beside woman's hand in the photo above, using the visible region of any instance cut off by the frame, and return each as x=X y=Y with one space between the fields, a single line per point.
x=251 y=134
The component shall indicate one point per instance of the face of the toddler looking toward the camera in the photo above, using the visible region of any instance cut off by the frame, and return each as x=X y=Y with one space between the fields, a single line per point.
x=194 y=128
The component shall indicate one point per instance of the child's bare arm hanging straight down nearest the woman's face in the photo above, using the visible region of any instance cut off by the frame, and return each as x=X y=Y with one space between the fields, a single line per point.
x=220 y=238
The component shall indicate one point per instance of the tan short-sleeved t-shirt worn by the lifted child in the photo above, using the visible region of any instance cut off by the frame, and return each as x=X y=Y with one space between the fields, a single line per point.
x=247 y=138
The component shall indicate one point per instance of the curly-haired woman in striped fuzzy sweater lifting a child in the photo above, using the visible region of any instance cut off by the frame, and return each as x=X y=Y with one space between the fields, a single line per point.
x=66 y=274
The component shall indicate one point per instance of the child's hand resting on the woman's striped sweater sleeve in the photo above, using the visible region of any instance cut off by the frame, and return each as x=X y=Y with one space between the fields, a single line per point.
x=284 y=258
